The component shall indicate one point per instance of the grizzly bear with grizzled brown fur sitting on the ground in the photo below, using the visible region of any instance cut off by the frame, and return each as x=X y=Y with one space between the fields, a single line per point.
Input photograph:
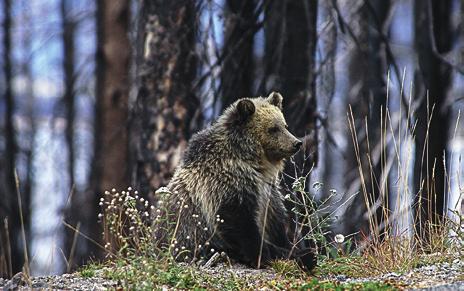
x=225 y=192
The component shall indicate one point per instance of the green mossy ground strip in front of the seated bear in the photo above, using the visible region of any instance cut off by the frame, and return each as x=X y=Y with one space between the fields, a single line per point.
x=145 y=274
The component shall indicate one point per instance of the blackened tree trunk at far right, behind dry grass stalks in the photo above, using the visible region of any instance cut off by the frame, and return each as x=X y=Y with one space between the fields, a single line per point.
x=432 y=26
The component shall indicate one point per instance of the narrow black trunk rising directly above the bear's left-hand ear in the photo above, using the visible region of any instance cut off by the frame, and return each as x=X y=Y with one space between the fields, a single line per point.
x=237 y=72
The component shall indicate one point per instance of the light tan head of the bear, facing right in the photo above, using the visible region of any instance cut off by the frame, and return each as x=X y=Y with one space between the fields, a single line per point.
x=264 y=121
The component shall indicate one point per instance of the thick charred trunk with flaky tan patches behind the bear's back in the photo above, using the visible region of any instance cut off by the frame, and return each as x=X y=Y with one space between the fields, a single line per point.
x=166 y=111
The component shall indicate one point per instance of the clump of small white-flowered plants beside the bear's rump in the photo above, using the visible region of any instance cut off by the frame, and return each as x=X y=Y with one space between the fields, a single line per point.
x=135 y=225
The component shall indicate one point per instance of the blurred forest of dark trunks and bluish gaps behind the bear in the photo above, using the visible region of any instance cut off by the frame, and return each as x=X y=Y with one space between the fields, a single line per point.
x=105 y=94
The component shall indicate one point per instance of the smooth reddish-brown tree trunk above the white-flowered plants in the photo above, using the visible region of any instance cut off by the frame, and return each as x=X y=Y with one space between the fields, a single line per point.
x=114 y=75
